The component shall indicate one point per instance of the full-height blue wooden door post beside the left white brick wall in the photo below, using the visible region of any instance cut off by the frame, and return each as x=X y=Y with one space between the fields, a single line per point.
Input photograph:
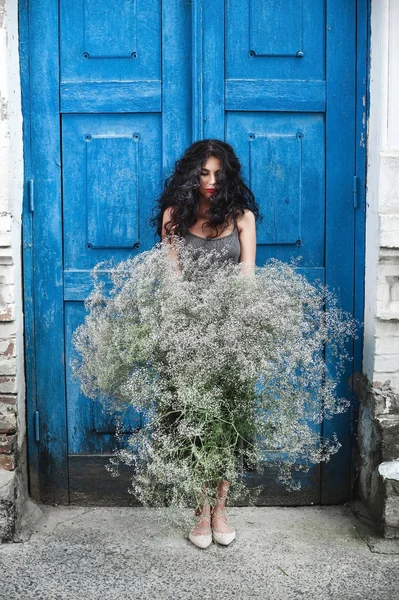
x=42 y=253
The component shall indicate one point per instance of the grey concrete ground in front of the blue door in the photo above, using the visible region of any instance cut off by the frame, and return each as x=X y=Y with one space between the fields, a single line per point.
x=315 y=552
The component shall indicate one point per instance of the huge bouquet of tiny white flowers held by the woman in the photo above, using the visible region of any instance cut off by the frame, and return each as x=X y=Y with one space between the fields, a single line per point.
x=227 y=369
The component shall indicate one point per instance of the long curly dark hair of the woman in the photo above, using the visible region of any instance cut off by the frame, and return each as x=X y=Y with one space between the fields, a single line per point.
x=181 y=190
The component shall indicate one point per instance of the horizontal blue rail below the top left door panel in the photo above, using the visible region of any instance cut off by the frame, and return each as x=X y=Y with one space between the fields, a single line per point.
x=127 y=96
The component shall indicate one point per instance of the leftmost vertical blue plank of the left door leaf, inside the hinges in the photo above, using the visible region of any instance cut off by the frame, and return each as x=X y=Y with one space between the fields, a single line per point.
x=47 y=249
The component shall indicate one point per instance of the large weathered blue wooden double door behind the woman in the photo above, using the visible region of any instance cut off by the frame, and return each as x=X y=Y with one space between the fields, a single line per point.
x=123 y=91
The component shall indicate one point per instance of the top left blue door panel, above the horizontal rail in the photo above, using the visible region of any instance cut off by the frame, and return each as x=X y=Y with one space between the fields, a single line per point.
x=103 y=41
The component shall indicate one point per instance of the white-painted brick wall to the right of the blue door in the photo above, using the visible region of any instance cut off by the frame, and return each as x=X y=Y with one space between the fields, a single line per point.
x=381 y=348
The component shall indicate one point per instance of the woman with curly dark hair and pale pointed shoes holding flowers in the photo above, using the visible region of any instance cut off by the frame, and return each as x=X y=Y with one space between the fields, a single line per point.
x=206 y=202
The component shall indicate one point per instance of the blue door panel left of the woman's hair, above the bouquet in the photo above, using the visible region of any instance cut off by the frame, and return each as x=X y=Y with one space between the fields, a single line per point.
x=112 y=172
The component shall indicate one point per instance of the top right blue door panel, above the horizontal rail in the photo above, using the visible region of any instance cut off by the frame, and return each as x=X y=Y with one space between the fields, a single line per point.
x=275 y=40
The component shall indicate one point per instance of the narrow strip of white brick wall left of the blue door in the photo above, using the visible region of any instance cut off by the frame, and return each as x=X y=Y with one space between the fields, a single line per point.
x=12 y=389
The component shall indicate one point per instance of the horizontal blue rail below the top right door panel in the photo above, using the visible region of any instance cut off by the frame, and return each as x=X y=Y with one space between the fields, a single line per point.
x=278 y=95
